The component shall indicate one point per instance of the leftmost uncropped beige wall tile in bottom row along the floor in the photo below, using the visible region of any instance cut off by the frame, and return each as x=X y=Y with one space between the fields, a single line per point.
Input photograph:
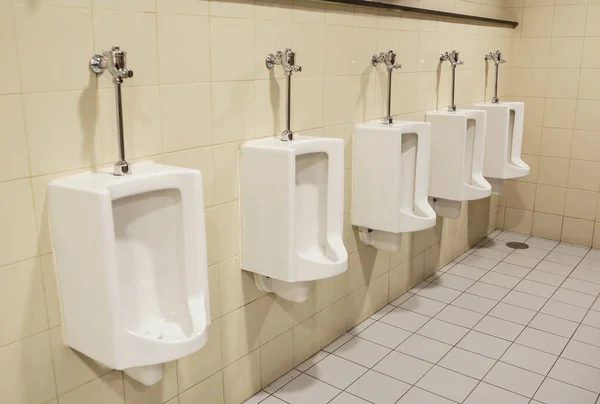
x=277 y=357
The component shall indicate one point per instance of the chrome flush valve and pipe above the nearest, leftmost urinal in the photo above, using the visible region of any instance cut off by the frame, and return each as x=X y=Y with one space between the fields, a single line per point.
x=115 y=61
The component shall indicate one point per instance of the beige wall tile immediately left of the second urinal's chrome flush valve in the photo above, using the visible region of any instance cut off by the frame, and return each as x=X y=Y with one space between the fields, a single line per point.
x=227 y=34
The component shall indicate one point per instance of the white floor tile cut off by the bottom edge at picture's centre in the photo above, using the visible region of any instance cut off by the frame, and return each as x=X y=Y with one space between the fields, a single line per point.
x=305 y=389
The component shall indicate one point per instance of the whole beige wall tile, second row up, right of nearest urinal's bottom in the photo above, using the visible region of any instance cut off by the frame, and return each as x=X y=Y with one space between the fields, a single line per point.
x=239 y=333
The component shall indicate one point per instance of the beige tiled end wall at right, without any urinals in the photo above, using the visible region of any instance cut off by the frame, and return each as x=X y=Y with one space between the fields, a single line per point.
x=555 y=68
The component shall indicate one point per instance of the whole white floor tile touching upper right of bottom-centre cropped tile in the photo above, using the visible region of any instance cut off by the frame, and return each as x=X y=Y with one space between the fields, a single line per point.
x=336 y=371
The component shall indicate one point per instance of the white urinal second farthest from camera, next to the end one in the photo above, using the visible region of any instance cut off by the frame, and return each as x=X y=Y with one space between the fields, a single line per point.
x=457 y=154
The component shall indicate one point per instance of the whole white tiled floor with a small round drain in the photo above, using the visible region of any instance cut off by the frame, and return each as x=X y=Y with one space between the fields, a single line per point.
x=496 y=326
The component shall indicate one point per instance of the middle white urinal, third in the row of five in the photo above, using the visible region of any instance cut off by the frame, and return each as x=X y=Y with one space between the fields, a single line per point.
x=391 y=182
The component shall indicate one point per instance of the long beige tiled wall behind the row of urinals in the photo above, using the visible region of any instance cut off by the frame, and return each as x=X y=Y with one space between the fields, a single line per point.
x=201 y=88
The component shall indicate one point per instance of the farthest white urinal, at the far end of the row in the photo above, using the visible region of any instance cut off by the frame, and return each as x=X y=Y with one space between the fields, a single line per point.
x=503 y=142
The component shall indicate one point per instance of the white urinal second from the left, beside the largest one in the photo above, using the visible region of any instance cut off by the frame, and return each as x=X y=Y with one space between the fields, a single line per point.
x=292 y=205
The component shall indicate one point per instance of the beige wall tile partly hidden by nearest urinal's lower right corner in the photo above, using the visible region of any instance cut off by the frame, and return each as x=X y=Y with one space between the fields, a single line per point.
x=194 y=368
